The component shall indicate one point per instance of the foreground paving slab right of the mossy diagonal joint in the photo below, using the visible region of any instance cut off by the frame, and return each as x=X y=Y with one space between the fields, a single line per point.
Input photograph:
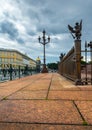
x=85 y=108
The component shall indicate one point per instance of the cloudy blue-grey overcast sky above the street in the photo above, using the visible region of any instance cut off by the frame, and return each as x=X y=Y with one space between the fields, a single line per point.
x=22 y=21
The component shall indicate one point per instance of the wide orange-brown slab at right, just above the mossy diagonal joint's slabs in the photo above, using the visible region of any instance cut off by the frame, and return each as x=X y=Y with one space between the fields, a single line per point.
x=71 y=95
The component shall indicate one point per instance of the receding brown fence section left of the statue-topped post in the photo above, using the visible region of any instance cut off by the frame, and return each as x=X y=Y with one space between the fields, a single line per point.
x=67 y=66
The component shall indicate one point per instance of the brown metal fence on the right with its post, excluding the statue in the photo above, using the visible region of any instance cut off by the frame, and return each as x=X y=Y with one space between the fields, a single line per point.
x=70 y=65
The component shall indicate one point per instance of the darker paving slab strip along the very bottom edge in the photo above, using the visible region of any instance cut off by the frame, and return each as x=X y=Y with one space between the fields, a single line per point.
x=21 y=126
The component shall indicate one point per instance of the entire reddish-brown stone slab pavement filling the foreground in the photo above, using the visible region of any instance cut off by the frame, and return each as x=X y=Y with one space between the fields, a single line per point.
x=26 y=105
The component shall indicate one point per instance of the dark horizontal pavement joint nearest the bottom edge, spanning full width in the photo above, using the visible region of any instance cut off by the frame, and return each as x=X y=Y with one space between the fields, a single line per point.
x=46 y=123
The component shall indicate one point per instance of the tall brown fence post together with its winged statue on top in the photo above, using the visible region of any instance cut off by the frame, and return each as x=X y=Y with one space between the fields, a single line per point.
x=76 y=34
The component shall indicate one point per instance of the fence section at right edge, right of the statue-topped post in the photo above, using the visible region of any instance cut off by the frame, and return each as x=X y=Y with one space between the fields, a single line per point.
x=86 y=71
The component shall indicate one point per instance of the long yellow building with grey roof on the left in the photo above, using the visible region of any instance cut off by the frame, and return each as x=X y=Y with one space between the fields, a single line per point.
x=14 y=57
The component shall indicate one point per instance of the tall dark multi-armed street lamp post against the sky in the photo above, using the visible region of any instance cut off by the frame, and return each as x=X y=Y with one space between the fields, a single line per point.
x=44 y=41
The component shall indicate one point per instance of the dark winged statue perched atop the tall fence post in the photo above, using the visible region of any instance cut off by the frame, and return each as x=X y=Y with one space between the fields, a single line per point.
x=76 y=31
